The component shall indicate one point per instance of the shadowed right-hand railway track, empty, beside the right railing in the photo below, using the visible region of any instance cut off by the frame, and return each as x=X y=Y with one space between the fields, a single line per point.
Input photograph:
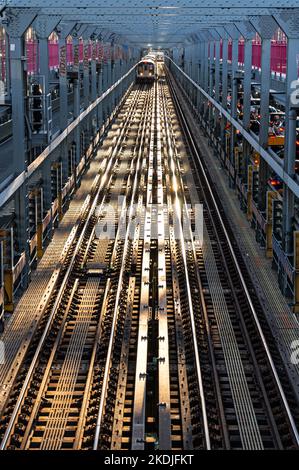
x=276 y=421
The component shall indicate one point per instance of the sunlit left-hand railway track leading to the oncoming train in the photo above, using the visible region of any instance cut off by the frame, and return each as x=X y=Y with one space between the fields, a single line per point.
x=26 y=411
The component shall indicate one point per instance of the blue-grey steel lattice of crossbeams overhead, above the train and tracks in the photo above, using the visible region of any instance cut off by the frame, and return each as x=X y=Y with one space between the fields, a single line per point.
x=148 y=21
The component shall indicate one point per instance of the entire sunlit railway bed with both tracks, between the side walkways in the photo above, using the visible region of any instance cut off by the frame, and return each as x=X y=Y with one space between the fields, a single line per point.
x=152 y=337
